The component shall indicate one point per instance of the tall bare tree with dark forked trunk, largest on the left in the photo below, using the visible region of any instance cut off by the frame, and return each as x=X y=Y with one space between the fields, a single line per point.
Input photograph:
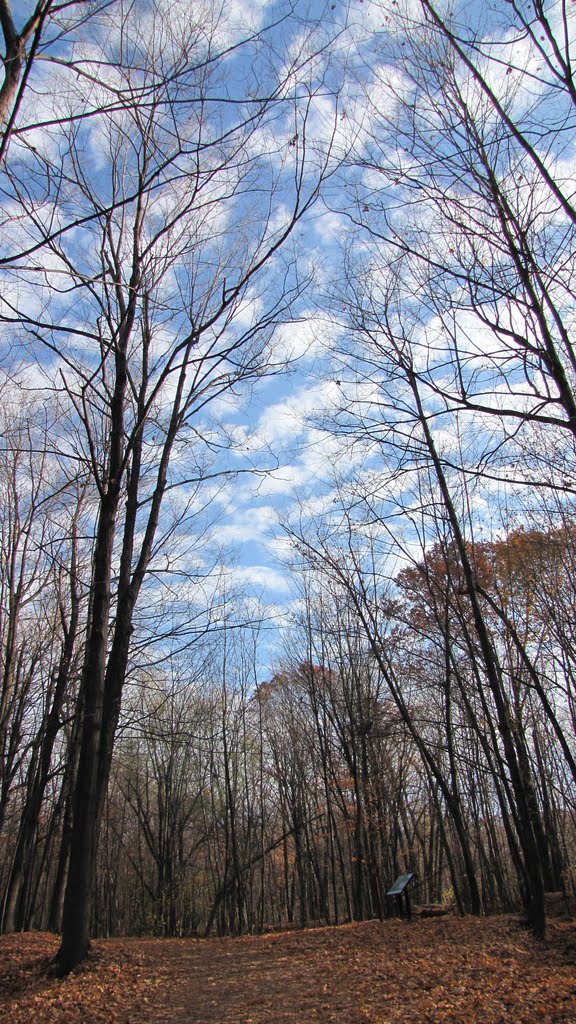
x=151 y=272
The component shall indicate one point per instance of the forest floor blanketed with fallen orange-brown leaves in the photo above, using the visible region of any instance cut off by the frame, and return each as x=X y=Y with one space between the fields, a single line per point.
x=427 y=971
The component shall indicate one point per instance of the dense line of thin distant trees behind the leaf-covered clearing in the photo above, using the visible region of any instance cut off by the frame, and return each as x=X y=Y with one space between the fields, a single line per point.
x=235 y=808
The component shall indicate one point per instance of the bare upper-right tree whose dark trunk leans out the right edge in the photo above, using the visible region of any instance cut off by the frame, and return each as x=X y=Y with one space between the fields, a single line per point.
x=465 y=188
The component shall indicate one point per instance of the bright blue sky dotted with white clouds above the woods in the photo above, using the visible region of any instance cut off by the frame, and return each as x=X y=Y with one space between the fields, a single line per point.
x=347 y=100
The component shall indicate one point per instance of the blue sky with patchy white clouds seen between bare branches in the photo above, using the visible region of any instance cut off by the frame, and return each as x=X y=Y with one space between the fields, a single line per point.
x=351 y=98
